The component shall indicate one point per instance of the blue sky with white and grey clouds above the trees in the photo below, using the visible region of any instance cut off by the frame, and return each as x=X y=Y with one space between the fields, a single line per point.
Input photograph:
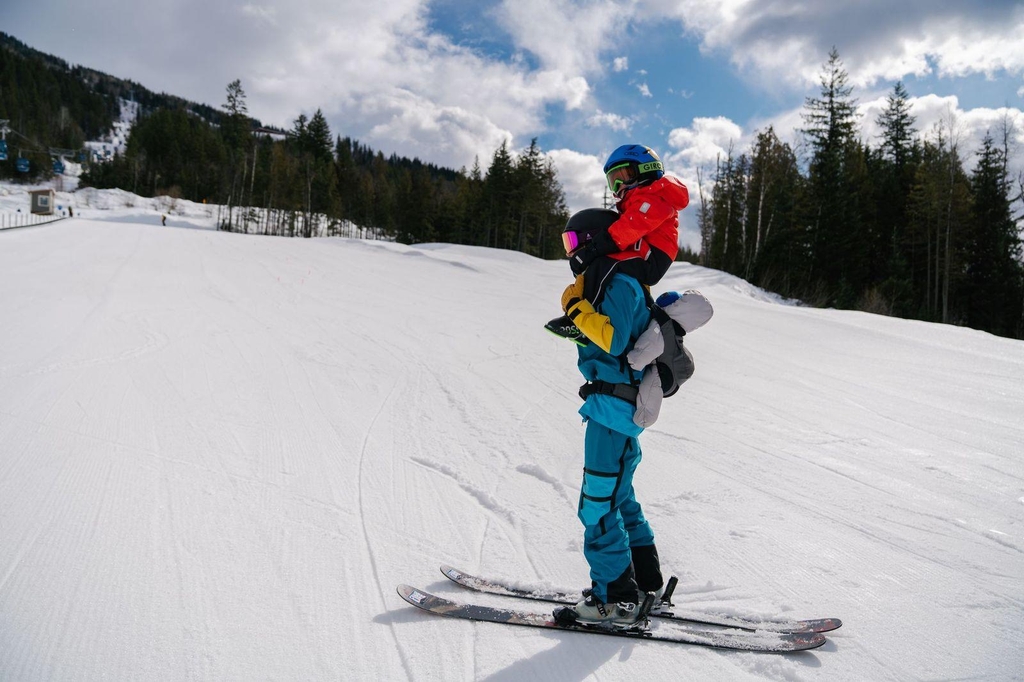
x=449 y=81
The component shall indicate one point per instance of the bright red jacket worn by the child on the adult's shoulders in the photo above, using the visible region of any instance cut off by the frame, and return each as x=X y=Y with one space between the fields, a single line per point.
x=651 y=214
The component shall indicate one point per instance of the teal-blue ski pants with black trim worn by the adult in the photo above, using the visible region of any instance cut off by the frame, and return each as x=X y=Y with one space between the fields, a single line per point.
x=613 y=519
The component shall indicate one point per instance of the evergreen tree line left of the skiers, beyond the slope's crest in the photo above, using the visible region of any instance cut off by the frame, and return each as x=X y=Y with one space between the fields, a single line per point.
x=314 y=183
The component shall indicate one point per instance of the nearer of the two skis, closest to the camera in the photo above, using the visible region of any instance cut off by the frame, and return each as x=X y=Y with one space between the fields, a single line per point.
x=661 y=632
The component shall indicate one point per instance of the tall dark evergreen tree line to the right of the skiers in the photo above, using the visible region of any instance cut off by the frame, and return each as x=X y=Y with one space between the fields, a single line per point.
x=901 y=229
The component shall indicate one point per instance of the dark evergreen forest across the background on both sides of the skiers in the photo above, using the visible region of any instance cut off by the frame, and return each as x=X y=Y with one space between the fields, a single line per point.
x=900 y=228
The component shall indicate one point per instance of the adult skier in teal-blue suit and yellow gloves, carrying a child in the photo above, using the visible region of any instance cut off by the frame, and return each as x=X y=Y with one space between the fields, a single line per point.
x=619 y=543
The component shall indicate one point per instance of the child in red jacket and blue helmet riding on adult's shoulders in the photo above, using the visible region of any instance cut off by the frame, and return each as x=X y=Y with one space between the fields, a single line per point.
x=643 y=243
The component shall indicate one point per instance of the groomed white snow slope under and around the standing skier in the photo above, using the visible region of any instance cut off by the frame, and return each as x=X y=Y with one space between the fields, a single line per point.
x=220 y=455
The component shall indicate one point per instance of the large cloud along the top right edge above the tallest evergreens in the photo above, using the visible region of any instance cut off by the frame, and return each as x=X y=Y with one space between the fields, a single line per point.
x=786 y=41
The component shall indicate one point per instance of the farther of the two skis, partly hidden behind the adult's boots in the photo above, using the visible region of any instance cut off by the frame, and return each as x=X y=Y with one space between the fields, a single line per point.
x=678 y=615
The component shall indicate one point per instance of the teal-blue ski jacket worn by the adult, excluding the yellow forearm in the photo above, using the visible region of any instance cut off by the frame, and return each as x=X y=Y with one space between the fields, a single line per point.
x=626 y=309
